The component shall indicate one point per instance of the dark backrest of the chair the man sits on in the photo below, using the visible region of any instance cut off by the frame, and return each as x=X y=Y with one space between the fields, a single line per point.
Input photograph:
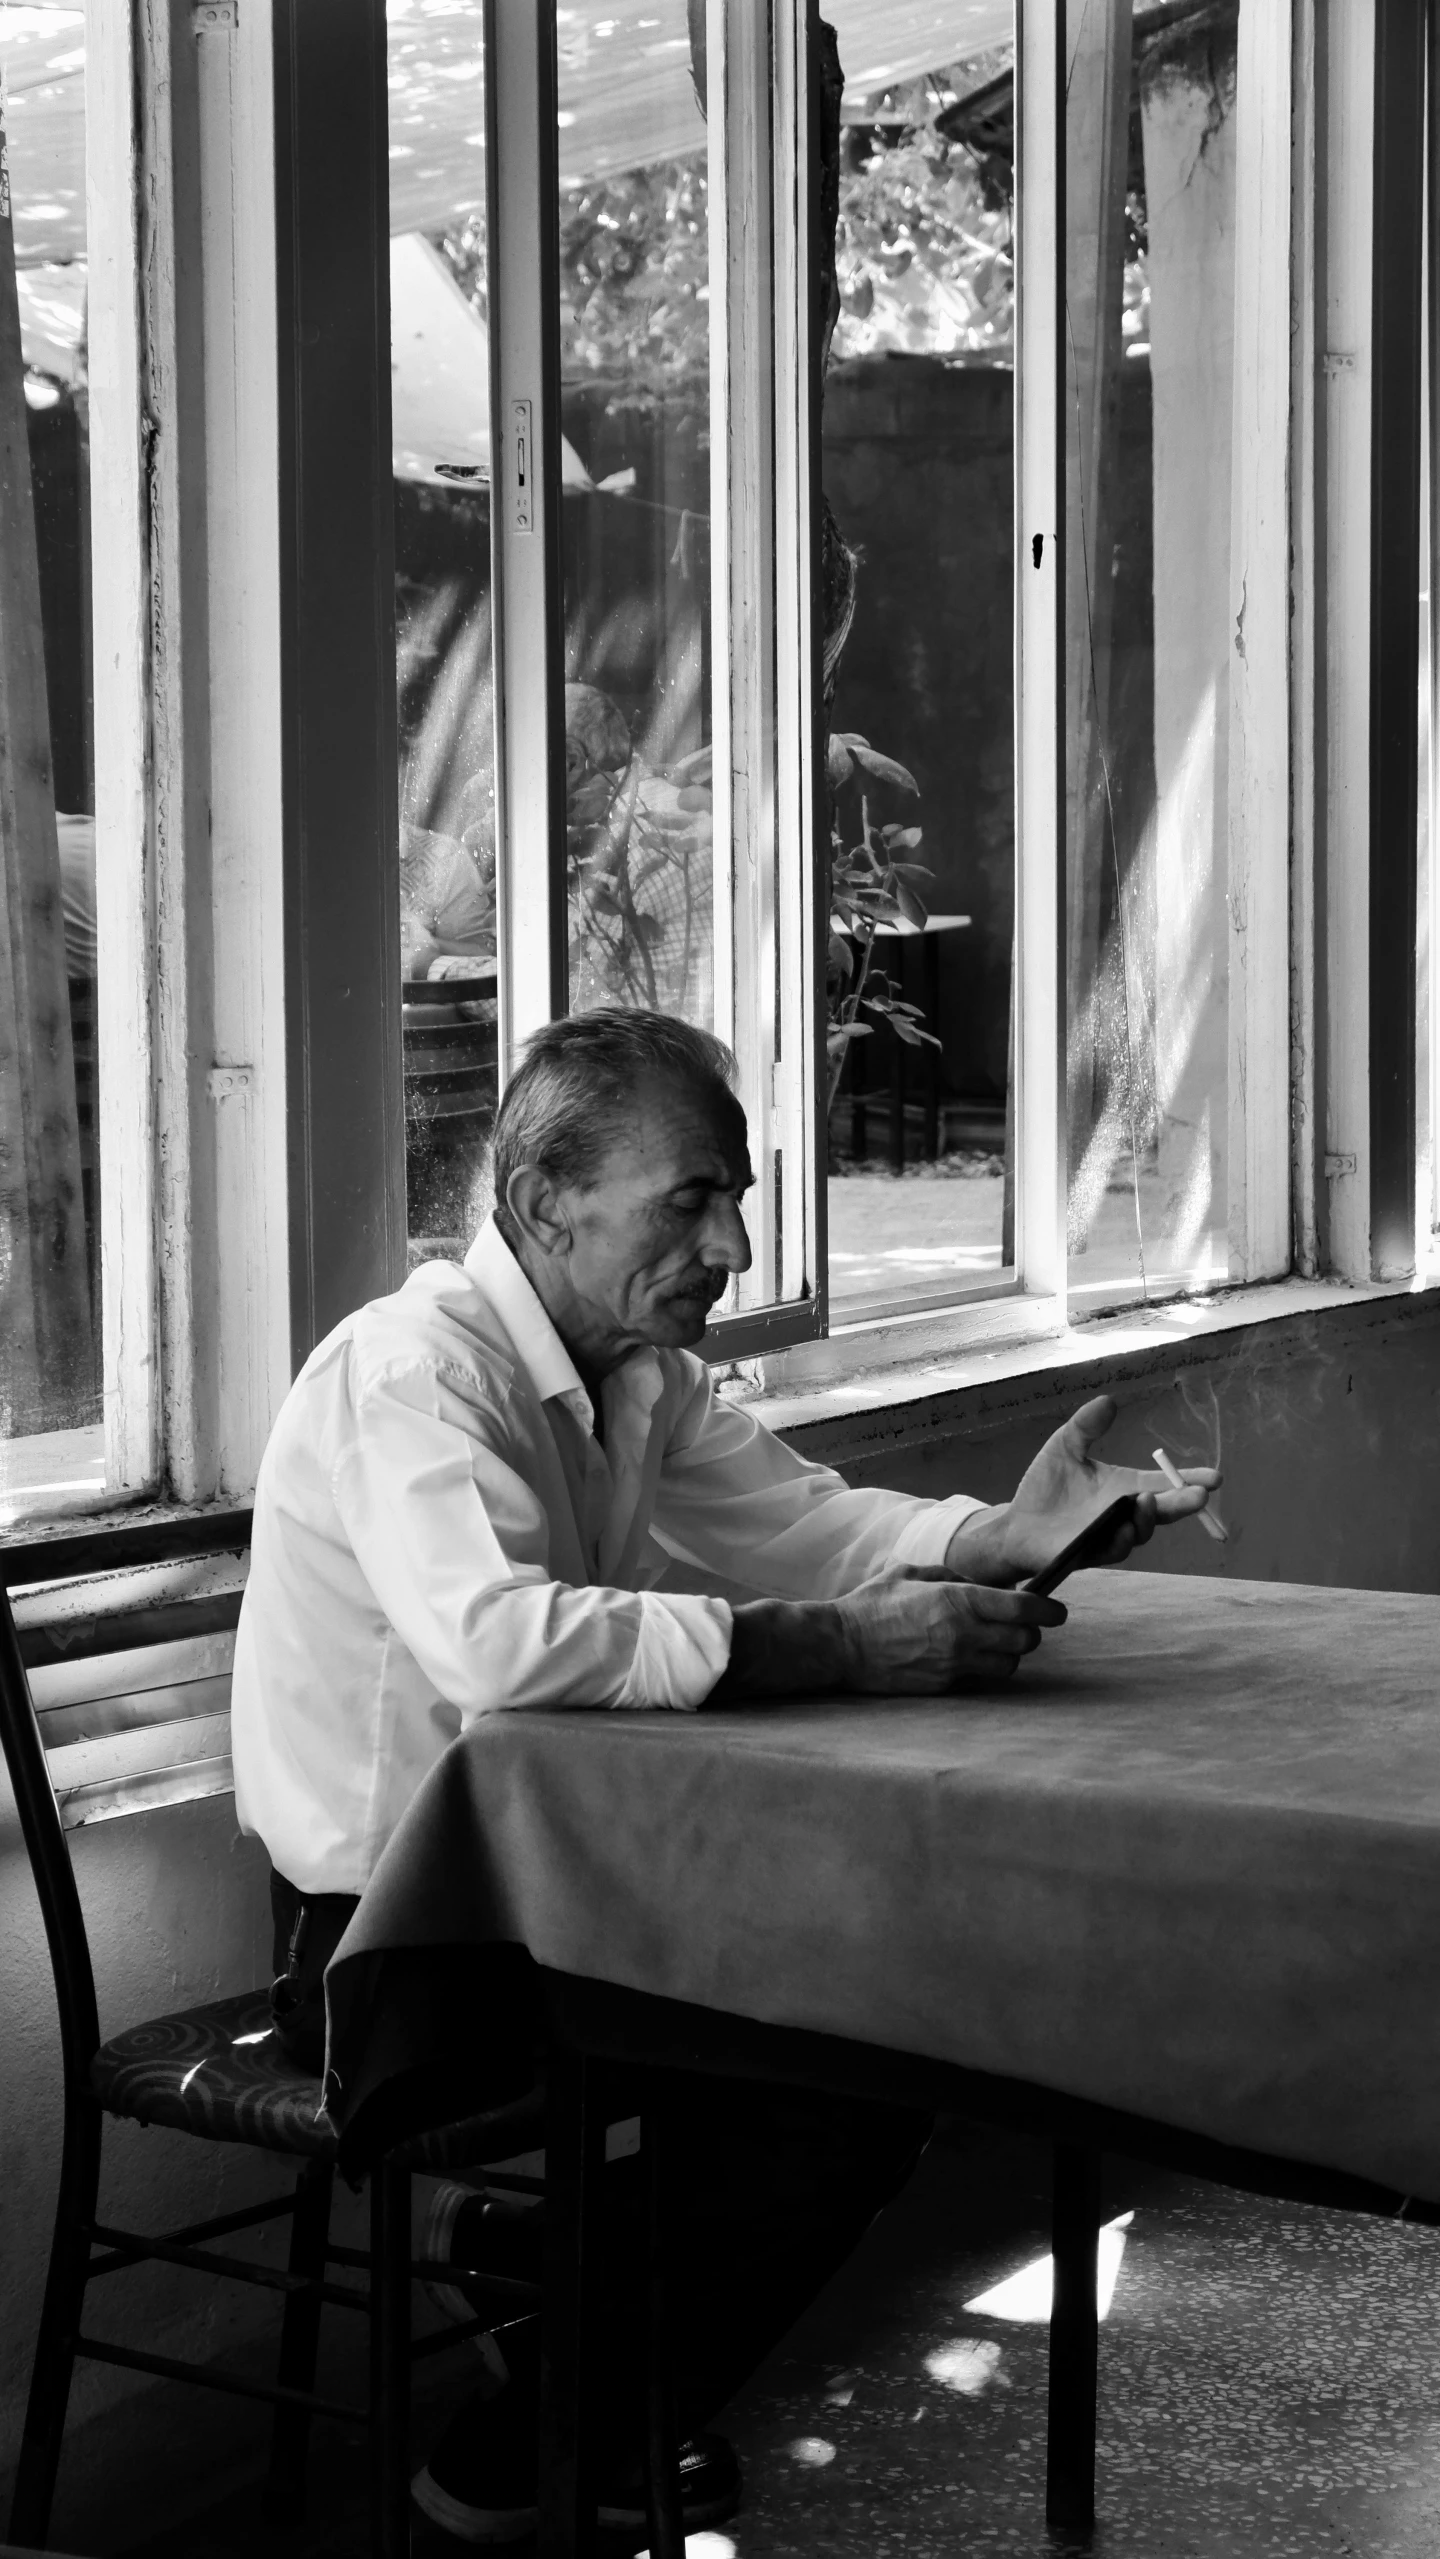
x=60 y=1565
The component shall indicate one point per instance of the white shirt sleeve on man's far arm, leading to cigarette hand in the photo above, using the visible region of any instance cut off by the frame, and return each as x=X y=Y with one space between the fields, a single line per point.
x=738 y=1503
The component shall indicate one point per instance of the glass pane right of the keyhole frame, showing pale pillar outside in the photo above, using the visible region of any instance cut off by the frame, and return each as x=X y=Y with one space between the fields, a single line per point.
x=1150 y=487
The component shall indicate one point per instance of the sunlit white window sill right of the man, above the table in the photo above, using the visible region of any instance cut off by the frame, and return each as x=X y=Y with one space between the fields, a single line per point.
x=909 y=1365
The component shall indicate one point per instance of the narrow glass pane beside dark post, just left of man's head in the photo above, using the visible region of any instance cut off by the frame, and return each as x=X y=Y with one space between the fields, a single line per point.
x=444 y=613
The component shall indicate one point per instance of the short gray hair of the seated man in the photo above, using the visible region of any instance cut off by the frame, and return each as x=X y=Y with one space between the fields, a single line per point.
x=574 y=1081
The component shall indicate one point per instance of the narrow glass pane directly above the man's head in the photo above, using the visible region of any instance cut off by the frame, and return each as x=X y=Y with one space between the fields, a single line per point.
x=636 y=408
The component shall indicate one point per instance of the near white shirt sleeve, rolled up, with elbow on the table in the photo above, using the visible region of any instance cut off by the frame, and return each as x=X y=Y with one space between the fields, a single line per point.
x=457 y=1552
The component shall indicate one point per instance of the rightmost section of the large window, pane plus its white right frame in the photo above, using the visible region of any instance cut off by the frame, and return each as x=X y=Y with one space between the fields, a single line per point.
x=1178 y=296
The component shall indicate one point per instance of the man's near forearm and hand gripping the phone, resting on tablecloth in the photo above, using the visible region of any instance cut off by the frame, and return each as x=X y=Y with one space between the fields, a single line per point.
x=904 y=1634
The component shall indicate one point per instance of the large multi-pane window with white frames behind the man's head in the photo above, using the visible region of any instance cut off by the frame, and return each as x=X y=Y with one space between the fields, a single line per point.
x=876 y=935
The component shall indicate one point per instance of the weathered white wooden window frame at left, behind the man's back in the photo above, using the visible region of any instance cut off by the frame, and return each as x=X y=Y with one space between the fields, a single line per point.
x=185 y=610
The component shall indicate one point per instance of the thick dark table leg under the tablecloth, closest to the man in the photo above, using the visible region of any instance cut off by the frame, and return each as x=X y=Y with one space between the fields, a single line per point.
x=574 y=2171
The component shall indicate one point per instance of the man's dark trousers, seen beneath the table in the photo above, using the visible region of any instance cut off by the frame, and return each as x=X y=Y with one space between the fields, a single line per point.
x=769 y=2194
